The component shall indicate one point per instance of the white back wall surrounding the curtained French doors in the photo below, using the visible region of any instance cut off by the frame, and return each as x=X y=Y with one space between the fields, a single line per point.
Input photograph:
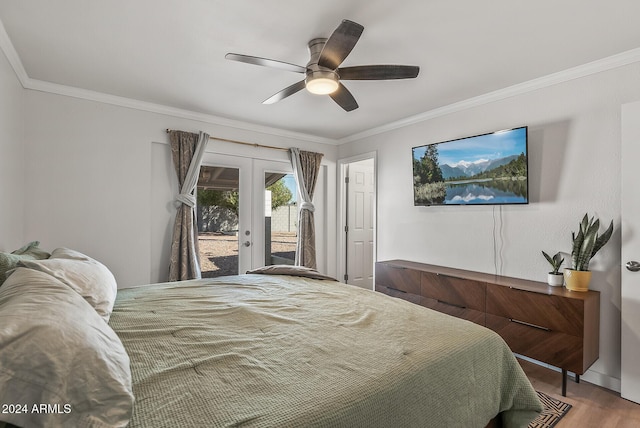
x=101 y=180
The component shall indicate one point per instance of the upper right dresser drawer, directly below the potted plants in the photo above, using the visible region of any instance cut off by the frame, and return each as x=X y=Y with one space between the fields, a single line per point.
x=556 y=313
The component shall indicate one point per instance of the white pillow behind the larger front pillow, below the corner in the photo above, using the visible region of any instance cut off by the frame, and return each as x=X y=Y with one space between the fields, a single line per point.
x=88 y=277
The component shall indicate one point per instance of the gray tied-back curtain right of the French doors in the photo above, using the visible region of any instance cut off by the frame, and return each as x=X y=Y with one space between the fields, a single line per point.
x=306 y=166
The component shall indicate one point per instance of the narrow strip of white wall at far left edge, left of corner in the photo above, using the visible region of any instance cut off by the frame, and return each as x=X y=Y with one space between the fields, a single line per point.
x=12 y=166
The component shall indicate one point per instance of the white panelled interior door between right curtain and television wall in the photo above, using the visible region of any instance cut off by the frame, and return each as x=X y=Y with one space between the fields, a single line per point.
x=360 y=223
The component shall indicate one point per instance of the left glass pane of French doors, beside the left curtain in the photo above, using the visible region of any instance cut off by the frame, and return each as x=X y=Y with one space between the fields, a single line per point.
x=217 y=212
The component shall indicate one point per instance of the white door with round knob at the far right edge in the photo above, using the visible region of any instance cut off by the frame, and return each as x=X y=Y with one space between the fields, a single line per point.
x=630 y=305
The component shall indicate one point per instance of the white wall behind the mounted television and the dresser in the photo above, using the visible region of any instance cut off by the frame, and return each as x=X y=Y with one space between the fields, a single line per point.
x=574 y=167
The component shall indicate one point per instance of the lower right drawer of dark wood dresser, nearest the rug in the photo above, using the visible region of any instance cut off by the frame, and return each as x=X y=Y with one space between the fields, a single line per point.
x=552 y=347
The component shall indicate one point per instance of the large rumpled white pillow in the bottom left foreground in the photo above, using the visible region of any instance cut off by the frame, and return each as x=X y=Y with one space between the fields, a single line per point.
x=55 y=350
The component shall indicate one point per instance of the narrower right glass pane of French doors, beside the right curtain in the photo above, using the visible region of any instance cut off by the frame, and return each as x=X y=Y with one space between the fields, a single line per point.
x=280 y=218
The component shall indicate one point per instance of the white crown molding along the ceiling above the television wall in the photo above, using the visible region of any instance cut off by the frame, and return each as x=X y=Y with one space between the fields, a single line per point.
x=608 y=63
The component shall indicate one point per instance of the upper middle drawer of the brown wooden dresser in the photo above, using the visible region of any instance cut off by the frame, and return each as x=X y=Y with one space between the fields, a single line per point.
x=452 y=291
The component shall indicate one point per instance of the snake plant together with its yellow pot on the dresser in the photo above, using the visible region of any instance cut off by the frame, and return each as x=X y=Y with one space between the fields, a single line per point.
x=586 y=243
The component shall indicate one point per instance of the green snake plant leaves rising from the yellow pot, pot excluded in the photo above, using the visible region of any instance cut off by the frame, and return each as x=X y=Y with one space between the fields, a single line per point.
x=587 y=242
